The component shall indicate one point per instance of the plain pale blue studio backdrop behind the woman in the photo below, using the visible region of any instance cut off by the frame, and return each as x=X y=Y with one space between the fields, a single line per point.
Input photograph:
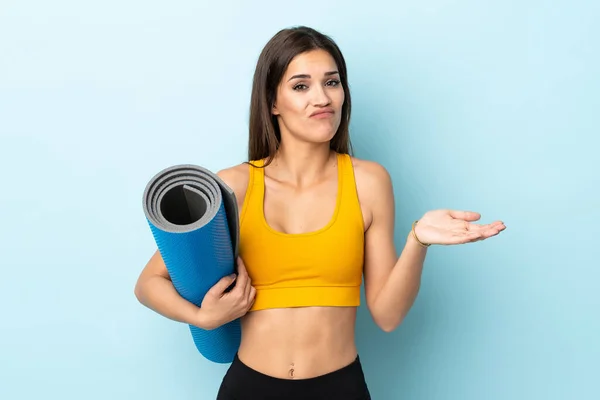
x=489 y=106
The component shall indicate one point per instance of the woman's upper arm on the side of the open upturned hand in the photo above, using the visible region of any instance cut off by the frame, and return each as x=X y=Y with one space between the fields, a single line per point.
x=377 y=198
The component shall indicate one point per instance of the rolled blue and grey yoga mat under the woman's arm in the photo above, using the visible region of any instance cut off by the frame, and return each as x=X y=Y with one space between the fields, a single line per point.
x=193 y=216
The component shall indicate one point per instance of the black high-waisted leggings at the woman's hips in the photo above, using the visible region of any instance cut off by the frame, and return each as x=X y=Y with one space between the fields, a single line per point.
x=242 y=382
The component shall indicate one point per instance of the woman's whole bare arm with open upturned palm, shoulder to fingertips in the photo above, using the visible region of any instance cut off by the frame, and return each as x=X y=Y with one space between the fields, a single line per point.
x=392 y=283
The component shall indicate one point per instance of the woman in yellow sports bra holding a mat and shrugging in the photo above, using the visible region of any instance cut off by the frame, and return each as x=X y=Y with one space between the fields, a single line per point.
x=313 y=219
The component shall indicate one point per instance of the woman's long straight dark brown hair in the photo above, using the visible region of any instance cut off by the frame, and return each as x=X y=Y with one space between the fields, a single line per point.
x=265 y=137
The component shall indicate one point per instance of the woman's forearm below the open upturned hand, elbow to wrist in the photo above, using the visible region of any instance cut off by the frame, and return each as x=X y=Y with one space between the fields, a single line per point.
x=400 y=290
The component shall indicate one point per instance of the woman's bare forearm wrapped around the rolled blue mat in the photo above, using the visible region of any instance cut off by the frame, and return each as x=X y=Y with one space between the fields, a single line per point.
x=159 y=294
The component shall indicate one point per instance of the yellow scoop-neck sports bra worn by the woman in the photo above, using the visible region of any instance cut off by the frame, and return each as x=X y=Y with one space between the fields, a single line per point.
x=319 y=268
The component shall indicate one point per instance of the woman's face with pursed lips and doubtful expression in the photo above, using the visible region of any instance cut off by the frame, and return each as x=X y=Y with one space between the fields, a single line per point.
x=309 y=98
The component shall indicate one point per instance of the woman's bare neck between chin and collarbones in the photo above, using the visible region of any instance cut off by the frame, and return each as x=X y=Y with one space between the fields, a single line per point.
x=302 y=163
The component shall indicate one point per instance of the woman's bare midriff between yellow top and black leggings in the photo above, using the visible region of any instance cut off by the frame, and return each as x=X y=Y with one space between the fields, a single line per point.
x=298 y=343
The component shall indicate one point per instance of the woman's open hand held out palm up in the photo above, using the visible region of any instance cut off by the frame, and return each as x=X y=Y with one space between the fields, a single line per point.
x=448 y=227
